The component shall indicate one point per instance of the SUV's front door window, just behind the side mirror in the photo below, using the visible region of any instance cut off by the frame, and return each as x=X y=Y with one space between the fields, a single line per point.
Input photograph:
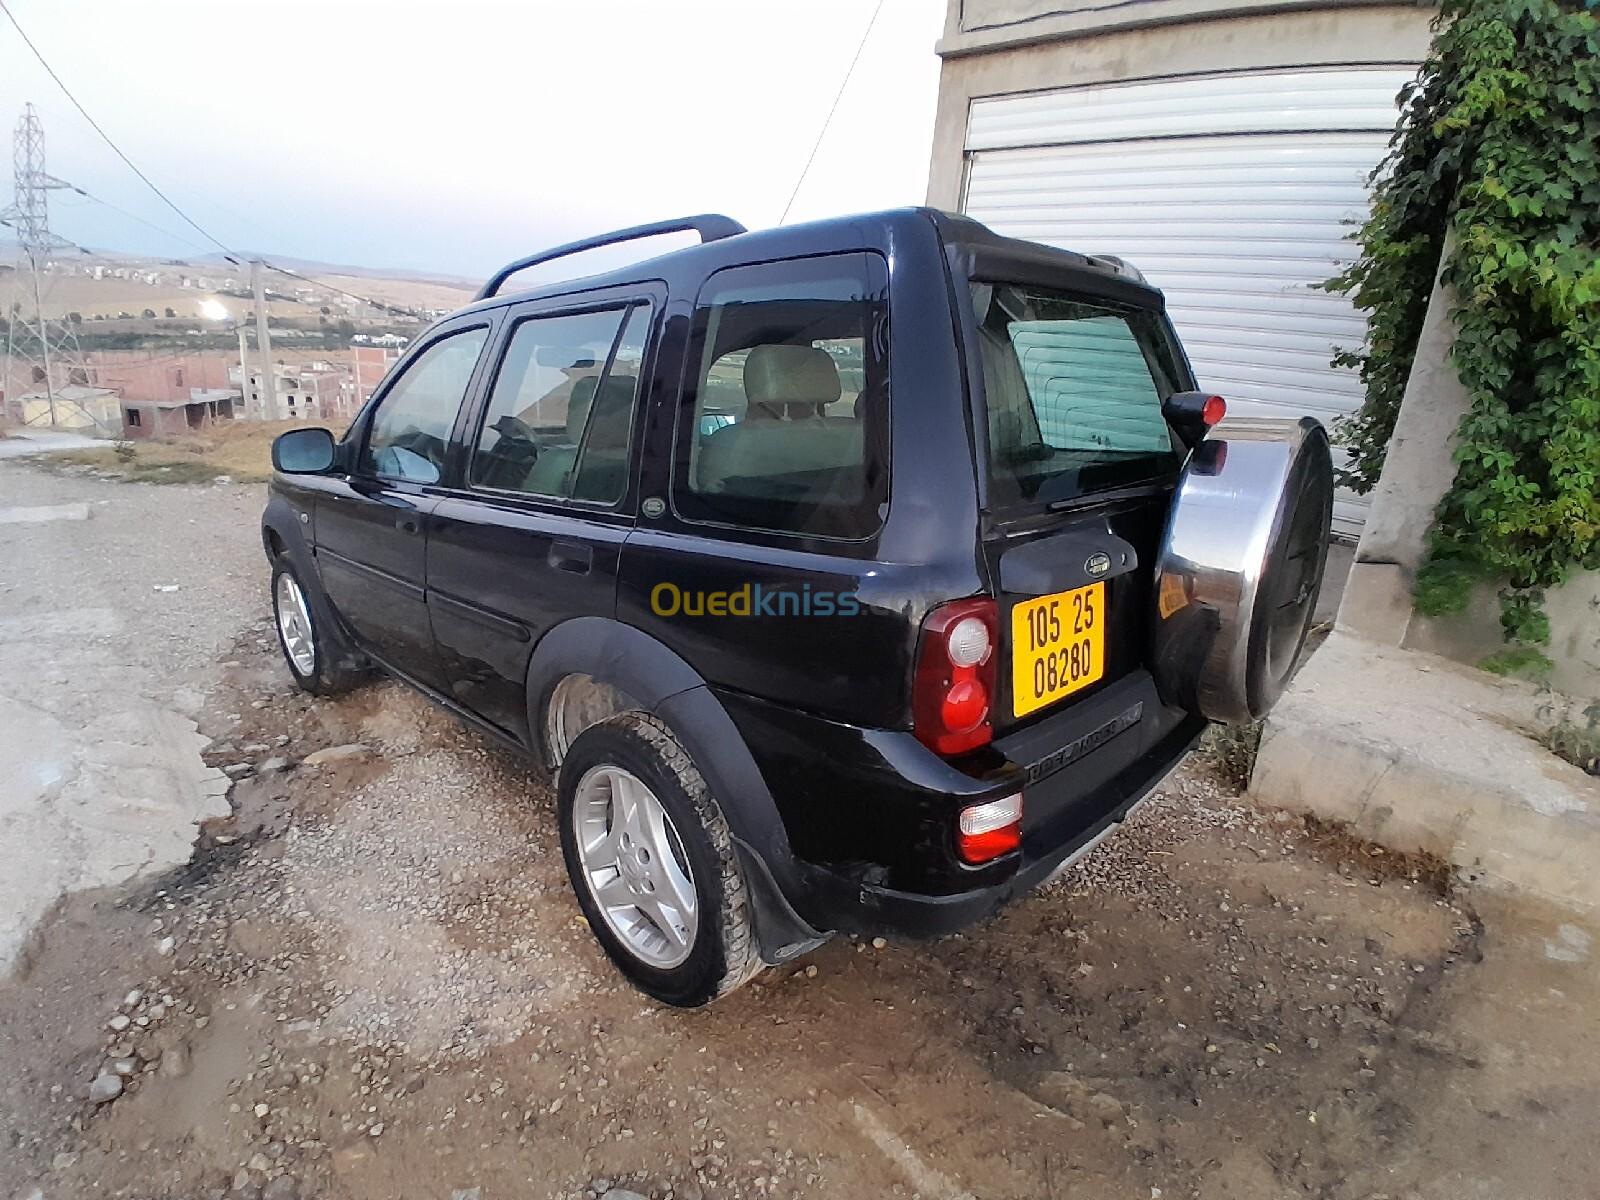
x=410 y=430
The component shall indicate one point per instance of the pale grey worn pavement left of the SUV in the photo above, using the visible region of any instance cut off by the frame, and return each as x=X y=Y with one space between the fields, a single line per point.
x=114 y=609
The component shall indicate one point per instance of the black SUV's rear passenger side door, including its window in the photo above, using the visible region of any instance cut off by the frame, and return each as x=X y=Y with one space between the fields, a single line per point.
x=534 y=534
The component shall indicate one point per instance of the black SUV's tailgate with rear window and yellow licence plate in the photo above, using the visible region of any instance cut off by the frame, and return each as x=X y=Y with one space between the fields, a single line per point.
x=1081 y=468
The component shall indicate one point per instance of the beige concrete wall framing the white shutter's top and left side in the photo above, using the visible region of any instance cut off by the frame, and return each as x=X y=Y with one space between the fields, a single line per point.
x=1001 y=47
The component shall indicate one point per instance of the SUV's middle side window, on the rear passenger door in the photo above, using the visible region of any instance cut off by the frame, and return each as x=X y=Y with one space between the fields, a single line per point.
x=562 y=409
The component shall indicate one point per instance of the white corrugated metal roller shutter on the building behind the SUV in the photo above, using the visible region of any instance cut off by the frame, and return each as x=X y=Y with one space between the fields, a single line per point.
x=1234 y=194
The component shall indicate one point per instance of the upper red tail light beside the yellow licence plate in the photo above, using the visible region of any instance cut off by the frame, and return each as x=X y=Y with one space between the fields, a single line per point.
x=954 y=689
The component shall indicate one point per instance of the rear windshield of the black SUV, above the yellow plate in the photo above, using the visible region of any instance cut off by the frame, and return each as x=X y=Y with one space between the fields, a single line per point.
x=1074 y=391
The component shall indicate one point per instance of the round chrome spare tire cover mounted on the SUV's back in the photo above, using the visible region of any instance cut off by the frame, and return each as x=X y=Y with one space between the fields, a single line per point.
x=1241 y=569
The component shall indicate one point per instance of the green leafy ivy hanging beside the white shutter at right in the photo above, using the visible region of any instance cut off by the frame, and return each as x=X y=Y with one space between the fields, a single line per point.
x=1500 y=146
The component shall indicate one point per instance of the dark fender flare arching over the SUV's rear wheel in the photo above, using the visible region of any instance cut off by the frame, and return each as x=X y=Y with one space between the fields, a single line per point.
x=666 y=686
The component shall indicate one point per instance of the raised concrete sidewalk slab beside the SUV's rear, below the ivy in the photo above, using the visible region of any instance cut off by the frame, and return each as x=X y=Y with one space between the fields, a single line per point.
x=1418 y=753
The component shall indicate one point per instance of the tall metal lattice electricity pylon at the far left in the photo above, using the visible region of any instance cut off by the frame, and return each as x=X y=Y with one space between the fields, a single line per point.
x=41 y=351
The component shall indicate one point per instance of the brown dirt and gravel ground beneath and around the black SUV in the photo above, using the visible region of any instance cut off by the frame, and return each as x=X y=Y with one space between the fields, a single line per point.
x=372 y=982
